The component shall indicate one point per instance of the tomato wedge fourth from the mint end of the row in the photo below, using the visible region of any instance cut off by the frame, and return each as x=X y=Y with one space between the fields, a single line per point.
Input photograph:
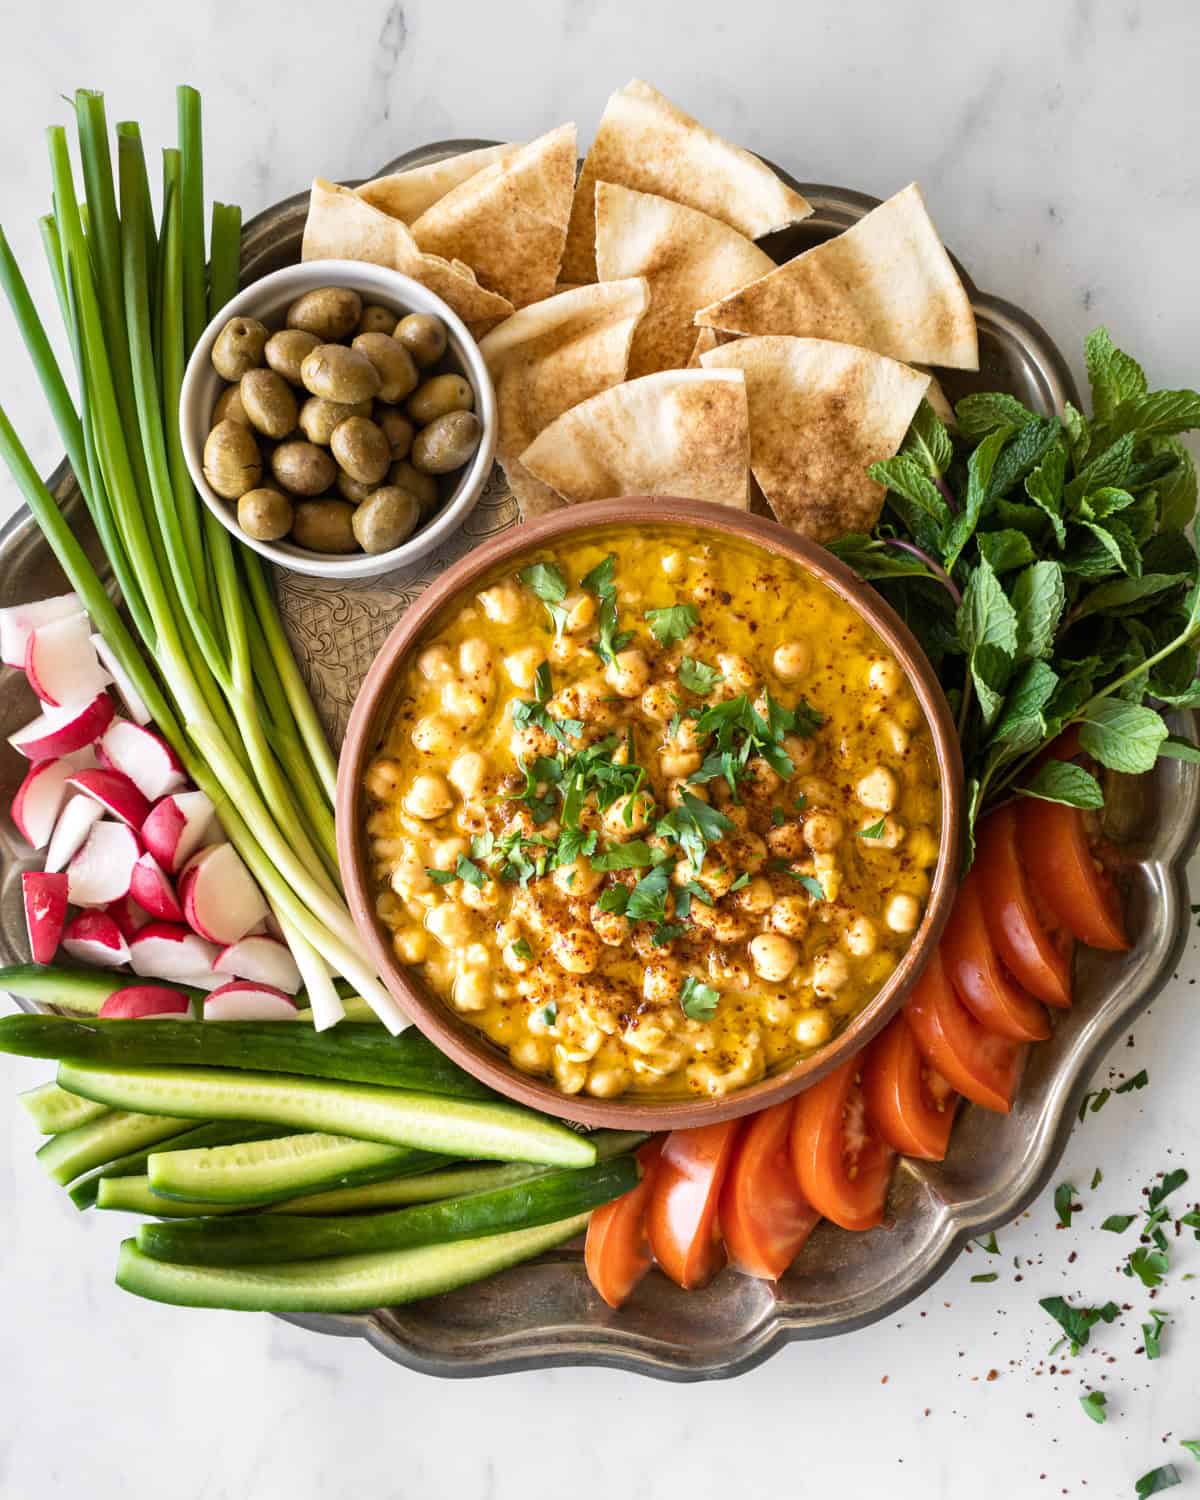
x=979 y=1064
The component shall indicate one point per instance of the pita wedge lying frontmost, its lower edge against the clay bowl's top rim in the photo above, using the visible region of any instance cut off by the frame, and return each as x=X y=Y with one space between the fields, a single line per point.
x=679 y=433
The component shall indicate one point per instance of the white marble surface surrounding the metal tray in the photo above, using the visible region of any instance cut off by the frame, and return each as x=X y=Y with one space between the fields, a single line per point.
x=1057 y=145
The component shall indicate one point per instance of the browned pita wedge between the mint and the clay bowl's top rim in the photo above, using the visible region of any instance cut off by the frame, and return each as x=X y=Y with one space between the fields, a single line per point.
x=820 y=415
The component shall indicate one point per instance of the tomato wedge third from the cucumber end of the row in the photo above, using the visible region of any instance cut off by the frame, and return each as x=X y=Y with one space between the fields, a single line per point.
x=766 y=1219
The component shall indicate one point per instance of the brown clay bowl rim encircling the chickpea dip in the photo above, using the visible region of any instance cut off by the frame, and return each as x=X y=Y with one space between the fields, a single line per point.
x=470 y=1049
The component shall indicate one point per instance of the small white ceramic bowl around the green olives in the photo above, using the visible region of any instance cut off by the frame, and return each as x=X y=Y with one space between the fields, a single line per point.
x=268 y=301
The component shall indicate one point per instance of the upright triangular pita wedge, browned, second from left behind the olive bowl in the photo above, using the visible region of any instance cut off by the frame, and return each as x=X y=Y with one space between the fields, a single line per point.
x=509 y=221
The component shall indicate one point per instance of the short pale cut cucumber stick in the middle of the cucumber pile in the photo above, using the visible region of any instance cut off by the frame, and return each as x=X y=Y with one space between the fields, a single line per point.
x=269 y=1171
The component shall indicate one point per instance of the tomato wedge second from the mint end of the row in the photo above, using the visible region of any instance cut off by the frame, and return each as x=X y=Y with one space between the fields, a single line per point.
x=1010 y=913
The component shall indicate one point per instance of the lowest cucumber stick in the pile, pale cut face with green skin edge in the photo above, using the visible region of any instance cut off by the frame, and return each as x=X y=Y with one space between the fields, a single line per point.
x=344 y=1285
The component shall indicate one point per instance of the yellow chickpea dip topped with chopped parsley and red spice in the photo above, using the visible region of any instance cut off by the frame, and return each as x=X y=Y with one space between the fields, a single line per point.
x=656 y=814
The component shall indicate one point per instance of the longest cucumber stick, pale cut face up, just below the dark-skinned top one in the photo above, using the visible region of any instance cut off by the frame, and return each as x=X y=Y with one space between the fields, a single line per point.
x=430 y=1123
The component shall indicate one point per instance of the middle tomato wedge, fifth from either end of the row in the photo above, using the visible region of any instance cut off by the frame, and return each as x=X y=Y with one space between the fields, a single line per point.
x=908 y=1102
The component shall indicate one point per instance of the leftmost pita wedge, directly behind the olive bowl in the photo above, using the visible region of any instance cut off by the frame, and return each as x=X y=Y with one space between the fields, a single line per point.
x=341 y=226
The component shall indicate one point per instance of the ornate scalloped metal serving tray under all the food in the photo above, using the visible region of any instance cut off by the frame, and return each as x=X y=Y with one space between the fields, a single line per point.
x=545 y=1313
